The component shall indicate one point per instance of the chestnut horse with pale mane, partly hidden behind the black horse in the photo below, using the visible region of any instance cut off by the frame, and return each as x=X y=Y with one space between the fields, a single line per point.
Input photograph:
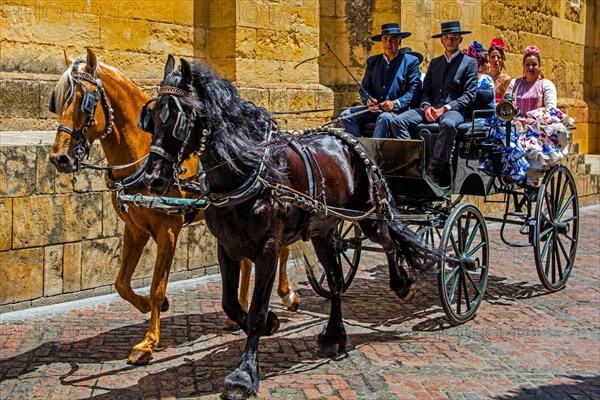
x=95 y=101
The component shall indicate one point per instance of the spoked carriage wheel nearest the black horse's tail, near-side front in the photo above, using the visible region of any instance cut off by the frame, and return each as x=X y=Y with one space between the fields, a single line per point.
x=464 y=264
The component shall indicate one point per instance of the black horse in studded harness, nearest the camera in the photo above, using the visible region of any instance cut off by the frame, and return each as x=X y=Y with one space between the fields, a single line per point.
x=265 y=192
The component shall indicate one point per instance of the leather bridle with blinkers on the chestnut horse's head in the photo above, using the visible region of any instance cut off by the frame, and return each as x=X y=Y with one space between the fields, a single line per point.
x=89 y=103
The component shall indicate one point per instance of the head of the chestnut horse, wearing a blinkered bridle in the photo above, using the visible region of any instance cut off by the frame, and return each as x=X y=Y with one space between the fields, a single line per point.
x=75 y=100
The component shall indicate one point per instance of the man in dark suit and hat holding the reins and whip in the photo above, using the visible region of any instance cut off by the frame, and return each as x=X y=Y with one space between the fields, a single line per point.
x=389 y=83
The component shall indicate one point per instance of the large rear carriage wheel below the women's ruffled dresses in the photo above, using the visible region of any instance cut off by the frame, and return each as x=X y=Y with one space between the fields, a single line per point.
x=557 y=228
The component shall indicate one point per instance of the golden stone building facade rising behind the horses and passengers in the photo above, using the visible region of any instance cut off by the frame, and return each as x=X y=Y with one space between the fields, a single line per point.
x=261 y=45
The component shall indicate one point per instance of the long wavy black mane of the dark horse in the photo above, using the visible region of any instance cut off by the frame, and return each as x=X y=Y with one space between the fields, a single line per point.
x=238 y=128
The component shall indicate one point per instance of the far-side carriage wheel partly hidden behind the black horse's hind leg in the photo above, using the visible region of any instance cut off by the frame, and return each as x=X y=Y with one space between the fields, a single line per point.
x=348 y=245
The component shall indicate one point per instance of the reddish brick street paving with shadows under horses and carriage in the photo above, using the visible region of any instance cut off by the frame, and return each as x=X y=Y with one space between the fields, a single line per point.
x=525 y=342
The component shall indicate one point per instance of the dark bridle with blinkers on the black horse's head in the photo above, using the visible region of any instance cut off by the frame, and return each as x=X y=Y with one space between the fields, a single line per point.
x=184 y=126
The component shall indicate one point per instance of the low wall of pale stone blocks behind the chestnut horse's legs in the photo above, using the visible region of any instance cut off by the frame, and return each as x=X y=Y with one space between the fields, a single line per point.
x=60 y=238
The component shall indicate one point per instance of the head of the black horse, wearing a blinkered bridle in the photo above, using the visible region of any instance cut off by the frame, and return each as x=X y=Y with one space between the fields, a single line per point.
x=173 y=120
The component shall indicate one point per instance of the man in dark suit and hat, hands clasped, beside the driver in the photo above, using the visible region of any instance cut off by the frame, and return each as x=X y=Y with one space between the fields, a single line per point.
x=449 y=88
